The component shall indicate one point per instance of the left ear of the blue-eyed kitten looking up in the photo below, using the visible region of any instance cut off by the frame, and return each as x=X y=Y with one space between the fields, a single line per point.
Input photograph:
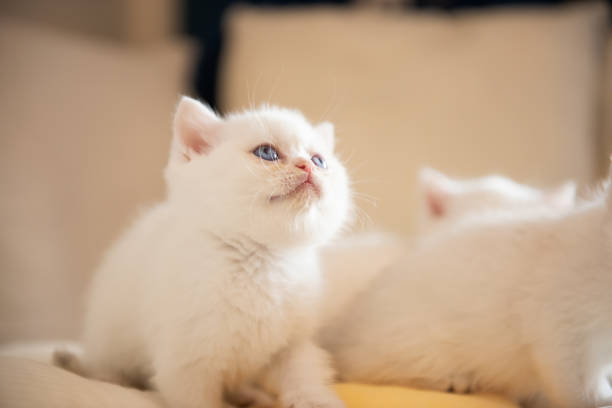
x=195 y=130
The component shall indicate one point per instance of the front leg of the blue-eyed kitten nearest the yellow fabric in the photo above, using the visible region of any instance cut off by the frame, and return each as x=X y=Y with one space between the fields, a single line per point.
x=302 y=376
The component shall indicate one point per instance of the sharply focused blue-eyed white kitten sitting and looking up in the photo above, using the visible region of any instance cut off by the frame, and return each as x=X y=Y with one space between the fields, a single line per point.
x=220 y=283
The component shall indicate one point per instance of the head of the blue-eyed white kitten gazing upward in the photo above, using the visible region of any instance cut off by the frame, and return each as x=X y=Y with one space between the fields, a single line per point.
x=267 y=173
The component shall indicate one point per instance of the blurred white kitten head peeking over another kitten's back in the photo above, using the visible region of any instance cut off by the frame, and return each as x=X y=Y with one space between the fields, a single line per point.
x=448 y=199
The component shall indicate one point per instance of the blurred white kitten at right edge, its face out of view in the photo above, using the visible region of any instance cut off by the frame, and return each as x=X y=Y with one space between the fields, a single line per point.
x=516 y=303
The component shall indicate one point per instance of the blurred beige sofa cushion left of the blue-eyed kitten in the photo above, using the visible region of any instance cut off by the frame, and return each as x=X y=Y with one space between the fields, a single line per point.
x=84 y=137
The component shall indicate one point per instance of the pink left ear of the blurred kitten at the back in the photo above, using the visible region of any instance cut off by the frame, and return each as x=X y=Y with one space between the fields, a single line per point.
x=437 y=189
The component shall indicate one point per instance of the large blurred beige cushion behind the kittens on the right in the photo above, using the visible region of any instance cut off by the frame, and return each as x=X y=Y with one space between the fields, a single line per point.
x=512 y=91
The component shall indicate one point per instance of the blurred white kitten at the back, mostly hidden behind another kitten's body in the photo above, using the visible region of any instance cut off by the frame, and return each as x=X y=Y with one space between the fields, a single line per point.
x=351 y=263
